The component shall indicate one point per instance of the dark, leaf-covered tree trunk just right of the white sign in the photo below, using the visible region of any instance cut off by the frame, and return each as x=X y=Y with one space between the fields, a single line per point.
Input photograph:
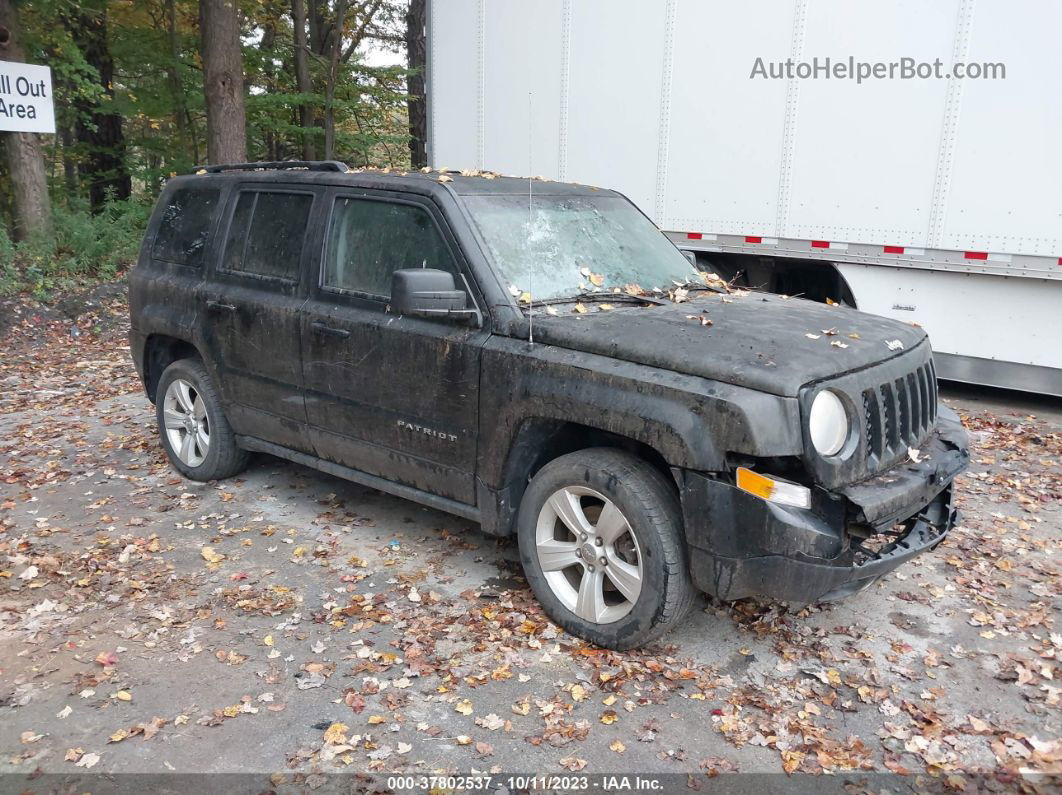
x=100 y=132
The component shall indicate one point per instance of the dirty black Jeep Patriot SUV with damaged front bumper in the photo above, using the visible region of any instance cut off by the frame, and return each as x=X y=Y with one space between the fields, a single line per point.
x=539 y=358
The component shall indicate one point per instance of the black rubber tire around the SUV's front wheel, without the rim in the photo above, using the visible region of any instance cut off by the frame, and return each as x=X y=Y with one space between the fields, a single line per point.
x=652 y=508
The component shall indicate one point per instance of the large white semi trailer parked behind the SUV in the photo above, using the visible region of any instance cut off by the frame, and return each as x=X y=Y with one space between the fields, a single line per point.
x=926 y=198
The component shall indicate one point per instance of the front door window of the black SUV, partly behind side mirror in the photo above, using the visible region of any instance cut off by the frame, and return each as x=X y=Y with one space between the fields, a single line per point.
x=370 y=240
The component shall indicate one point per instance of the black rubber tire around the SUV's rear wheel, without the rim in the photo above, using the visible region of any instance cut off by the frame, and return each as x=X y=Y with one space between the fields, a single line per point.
x=225 y=458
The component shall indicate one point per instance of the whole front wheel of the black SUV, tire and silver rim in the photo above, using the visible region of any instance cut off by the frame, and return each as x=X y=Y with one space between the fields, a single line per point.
x=603 y=546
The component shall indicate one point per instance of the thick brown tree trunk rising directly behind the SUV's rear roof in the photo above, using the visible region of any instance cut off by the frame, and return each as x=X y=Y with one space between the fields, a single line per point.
x=224 y=82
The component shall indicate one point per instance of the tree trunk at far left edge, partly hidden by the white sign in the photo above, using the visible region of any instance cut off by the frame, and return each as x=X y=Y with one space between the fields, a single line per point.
x=33 y=209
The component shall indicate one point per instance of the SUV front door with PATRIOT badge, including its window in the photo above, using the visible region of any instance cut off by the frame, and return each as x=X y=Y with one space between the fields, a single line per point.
x=392 y=396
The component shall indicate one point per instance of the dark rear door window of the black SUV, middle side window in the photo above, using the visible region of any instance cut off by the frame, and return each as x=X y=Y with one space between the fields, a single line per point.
x=266 y=235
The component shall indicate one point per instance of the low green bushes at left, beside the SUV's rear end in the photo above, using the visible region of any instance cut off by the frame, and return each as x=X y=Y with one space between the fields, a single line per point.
x=87 y=248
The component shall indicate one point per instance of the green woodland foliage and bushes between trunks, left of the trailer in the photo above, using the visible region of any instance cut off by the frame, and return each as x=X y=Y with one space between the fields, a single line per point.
x=158 y=92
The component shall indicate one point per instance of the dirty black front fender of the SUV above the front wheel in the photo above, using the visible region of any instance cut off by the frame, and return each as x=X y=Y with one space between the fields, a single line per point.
x=692 y=422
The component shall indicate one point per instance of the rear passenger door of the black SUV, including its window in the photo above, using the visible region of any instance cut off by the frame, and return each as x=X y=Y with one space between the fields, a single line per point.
x=253 y=313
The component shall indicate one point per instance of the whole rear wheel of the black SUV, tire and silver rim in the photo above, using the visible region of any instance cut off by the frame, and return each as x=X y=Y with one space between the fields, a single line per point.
x=193 y=426
